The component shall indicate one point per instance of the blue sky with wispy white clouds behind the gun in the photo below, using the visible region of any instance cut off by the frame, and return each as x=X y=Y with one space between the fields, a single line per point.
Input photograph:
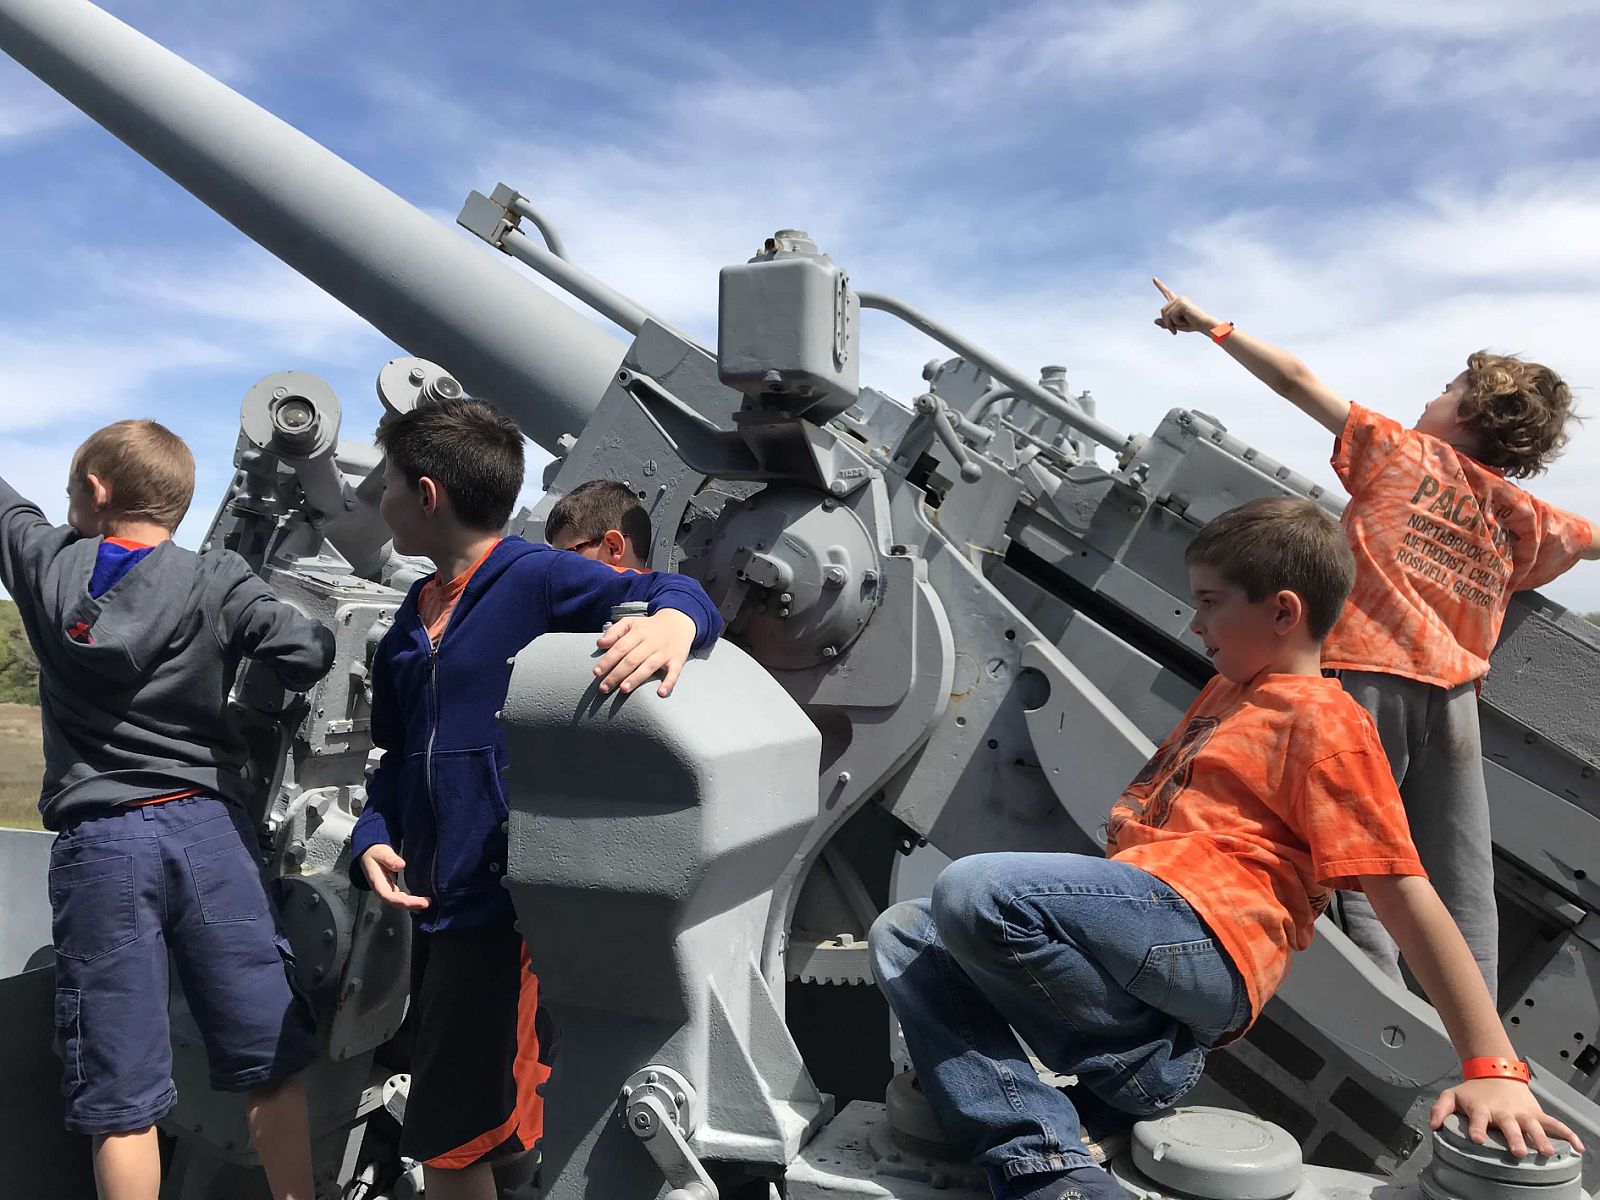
x=1380 y=186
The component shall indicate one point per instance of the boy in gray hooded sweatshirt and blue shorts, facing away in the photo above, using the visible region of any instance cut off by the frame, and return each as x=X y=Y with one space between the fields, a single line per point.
x=138 y=644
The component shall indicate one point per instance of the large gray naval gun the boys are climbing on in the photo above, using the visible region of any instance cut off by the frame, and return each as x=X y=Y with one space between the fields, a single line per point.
x=958 y=622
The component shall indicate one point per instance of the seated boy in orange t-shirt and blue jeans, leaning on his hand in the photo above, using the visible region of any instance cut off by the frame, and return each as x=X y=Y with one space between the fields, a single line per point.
x=1127 y=970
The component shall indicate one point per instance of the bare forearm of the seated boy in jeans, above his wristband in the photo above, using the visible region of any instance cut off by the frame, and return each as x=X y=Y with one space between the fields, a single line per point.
x=1438 y=954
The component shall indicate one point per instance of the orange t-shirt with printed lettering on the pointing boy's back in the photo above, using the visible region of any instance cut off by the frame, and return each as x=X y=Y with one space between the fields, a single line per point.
x=1441 y=543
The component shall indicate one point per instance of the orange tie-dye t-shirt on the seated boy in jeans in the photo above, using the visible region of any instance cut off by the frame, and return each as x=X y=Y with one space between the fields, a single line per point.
x=1265 y=801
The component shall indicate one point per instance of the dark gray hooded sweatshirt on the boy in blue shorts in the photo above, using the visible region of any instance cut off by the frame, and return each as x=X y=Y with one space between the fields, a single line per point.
x=134 y=686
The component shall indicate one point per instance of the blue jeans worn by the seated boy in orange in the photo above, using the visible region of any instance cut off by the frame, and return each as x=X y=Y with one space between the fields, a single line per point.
x=1100 y=967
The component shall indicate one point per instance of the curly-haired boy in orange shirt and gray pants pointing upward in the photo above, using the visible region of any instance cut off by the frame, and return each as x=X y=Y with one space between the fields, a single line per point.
x=1442 y=540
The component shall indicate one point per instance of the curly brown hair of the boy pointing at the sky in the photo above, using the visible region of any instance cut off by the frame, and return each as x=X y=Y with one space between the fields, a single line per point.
x=1519 y=412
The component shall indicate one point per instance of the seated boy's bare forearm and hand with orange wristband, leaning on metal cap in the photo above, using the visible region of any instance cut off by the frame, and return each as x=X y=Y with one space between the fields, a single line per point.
x=1438 y=954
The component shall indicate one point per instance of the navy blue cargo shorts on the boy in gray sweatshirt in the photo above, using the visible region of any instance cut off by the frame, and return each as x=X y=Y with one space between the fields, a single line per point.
x=127 y=890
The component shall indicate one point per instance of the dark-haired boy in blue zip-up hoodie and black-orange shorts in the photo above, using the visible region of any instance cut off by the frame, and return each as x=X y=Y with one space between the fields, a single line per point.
x=438 y=799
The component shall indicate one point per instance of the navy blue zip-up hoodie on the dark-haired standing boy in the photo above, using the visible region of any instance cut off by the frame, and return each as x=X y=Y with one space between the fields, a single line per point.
x=439 y=793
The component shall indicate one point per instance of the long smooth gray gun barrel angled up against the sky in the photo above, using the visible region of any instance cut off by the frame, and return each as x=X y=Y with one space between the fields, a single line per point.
x=420 y=284
